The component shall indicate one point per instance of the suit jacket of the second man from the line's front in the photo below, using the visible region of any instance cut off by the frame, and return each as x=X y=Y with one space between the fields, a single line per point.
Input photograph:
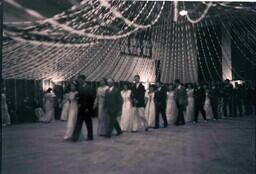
x=112 y=102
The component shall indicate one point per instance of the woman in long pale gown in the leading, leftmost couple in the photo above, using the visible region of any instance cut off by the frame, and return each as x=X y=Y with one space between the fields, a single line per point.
x=72 y=112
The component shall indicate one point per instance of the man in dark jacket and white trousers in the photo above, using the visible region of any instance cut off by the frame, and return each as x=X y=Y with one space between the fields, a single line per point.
x=138 y=102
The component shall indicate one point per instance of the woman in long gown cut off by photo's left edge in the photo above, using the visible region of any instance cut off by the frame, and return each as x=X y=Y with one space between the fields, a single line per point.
x=6 y=120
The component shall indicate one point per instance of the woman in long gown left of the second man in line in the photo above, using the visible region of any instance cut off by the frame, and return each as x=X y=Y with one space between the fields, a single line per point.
x=98 y=103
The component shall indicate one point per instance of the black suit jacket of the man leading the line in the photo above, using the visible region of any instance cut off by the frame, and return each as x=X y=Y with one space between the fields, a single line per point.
x=86 y=97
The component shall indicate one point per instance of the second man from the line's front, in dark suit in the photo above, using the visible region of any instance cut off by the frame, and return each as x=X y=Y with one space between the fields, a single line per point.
x=112 y=106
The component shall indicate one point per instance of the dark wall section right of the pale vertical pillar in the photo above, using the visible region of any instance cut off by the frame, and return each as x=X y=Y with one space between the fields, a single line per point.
x=243 y=48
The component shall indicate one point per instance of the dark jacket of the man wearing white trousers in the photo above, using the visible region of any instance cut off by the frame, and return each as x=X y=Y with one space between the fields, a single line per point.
x=138 y=94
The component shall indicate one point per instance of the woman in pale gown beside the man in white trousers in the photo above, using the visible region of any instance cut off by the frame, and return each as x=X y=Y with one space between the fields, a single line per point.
x=126 y=121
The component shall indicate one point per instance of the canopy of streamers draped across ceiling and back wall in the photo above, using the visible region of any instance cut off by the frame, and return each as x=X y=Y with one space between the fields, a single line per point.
x=89 y=37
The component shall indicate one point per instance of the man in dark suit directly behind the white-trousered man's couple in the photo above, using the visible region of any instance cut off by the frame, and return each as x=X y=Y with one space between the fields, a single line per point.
x=160 y=102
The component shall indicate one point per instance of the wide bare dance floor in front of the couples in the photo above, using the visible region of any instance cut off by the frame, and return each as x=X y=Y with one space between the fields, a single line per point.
x=217 y=147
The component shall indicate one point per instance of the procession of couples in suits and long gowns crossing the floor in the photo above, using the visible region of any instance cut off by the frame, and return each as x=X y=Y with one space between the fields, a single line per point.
x=137 y=107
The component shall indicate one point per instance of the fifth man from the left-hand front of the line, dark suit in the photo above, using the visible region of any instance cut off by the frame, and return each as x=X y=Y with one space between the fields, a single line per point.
x=181 y=102
